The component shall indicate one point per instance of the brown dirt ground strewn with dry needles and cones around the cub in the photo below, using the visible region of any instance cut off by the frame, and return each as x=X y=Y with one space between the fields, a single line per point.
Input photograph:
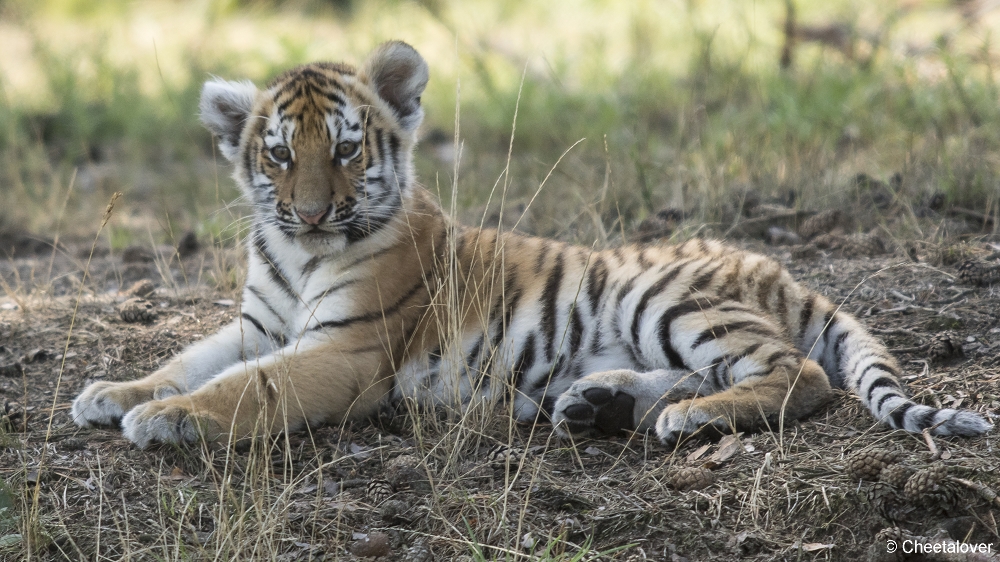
x=409 y=488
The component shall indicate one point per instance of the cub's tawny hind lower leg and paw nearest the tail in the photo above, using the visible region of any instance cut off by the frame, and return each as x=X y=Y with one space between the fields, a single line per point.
x=796 y=387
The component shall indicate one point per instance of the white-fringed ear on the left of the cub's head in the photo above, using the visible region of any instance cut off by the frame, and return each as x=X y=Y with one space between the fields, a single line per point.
x=225 y=107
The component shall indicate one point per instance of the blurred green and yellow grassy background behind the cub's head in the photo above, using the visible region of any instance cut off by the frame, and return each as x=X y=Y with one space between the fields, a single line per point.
x=687 y=104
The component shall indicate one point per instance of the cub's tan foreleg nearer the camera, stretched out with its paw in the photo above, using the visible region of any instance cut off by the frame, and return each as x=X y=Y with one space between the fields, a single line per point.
x=300 y=384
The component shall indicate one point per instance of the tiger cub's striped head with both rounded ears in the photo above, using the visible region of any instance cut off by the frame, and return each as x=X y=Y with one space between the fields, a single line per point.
x=324 y=151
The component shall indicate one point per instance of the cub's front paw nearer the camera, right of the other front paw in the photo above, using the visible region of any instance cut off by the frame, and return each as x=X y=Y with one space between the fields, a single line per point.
x=166 y=421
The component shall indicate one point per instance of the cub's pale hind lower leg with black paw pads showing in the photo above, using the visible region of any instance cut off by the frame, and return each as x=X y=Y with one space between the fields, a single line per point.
x=610 y=401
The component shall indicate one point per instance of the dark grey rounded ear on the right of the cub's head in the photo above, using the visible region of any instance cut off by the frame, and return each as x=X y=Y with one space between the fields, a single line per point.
x=399 y=74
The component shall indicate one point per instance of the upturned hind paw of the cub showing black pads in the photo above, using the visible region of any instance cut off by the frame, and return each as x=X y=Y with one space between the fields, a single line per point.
x=588 y=406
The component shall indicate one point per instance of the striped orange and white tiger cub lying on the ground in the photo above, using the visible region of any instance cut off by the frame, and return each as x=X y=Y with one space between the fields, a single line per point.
x=361 y=292
